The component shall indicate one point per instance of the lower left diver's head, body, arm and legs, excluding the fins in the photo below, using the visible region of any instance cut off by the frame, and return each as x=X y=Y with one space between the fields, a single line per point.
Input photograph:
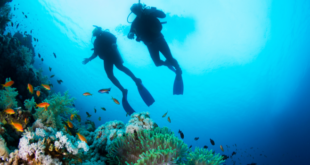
x=105 y=46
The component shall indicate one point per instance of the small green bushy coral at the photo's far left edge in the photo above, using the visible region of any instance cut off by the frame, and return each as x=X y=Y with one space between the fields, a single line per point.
x=7 y=98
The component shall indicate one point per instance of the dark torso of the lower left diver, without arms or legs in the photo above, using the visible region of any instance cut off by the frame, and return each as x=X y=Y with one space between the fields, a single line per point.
x=105 y=47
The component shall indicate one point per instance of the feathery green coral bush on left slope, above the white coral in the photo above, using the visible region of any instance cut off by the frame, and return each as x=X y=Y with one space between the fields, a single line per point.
x=59 y=105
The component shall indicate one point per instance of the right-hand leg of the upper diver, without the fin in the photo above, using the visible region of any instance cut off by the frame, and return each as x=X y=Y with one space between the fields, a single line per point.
x=165 y=50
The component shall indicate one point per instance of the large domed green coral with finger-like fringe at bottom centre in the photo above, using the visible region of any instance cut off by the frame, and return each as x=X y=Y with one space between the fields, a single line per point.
x=127 y=149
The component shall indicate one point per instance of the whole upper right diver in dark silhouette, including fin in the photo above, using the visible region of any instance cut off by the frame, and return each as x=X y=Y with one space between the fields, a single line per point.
x=147 y=28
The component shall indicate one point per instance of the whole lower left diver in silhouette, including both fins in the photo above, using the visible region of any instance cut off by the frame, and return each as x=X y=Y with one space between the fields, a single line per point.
x=105 y=46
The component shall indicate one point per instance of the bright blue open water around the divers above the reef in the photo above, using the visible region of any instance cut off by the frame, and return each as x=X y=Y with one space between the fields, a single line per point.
x=245 y=64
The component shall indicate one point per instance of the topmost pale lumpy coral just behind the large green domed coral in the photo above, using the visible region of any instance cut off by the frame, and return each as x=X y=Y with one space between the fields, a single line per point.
x=140 y=121
